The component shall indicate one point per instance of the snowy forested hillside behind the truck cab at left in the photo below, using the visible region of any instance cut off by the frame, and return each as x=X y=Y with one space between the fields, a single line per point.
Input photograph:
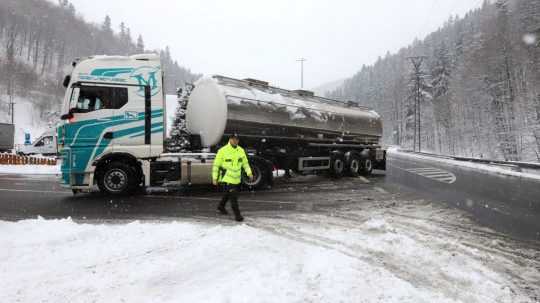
x=39 y=39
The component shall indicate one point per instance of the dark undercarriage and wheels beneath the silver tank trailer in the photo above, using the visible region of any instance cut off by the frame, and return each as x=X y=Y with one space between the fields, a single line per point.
x=309 y=157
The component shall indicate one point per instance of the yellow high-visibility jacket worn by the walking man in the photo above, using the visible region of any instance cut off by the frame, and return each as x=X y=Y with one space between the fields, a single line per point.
x=229 y=163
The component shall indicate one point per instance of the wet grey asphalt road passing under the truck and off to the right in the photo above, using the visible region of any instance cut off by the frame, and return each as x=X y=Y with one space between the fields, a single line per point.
x=508 y=205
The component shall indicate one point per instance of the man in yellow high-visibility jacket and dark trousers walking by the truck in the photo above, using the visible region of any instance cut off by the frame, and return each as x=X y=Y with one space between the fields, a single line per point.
x=230 y=160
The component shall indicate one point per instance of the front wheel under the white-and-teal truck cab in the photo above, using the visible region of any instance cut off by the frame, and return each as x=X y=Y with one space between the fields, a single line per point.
x=117 y=178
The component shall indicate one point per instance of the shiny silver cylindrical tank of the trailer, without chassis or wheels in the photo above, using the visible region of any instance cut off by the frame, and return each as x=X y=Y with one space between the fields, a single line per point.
x=221 y=105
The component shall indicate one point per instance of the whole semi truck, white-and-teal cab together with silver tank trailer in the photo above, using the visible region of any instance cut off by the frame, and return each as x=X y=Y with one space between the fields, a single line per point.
x=113 y=130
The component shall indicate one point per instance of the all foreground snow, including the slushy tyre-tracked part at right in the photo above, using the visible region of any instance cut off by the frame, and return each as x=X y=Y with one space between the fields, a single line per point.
x=299 y=258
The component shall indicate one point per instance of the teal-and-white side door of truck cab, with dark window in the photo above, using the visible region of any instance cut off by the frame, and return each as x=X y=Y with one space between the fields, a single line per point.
x=91 y=130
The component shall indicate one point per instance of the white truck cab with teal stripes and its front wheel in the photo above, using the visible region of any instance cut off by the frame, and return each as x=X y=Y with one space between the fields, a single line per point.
x=113 y=123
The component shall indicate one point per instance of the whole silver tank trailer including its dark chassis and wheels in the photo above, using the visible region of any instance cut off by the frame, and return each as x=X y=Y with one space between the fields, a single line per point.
x=283 y=129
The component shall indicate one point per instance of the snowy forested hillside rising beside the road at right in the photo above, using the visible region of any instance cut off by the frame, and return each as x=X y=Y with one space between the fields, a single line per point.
x=479 y=83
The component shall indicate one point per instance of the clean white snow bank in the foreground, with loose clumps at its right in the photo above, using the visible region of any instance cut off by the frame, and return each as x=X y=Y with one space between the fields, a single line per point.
x=61 y=261
